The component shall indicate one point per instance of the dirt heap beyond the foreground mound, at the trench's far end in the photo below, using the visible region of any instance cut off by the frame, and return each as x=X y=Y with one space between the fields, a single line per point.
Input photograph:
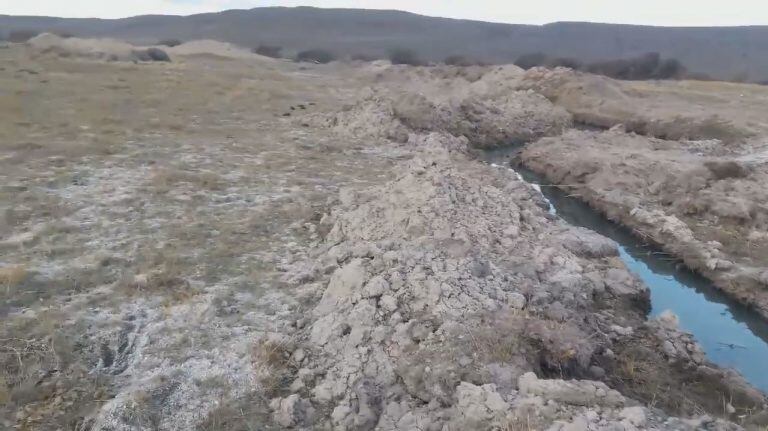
x=474 y=108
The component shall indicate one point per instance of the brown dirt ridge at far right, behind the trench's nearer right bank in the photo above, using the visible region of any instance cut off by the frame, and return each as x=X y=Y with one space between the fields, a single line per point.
x=603 y=102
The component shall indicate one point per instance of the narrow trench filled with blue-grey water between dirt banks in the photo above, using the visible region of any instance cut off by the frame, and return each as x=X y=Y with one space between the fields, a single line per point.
x=731 y=335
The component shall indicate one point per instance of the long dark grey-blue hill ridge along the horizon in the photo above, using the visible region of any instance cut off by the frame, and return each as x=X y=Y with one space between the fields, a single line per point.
x=722 y=52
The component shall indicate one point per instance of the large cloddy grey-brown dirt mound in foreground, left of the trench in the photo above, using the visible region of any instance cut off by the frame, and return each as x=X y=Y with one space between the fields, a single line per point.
x=449 y=291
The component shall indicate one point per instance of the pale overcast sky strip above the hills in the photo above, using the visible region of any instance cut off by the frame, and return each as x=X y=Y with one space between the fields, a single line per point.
x=653 y=12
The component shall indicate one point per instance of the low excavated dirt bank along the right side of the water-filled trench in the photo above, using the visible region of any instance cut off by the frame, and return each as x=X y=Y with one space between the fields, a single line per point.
x=710 y=211
